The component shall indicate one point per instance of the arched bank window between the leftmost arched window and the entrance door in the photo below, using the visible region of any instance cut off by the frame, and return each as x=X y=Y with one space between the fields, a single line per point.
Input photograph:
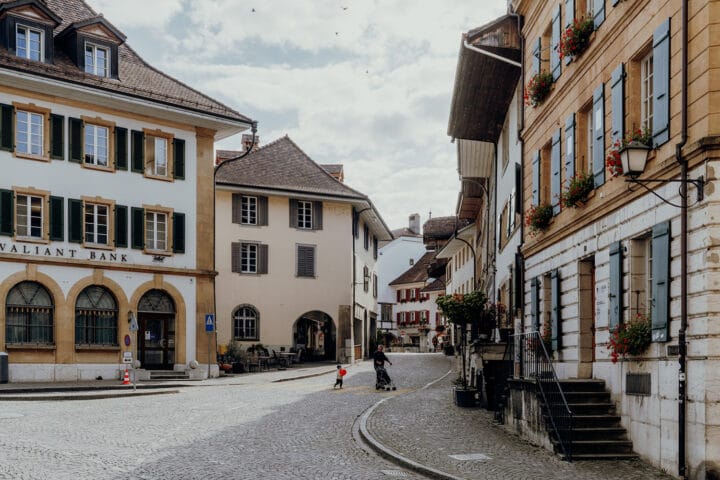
x=96 y=316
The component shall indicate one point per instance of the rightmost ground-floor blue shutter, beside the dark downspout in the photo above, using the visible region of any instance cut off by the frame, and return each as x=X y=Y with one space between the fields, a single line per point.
x=660 y=310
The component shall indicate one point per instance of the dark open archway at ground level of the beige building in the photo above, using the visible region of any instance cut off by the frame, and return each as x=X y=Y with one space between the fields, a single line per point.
x=315 y=333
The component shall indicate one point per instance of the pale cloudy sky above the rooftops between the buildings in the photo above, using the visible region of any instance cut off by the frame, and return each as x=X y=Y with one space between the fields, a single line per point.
x=365 y=83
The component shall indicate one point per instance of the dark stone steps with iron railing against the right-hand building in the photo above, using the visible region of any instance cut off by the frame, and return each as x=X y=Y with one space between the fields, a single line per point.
x=597 y=433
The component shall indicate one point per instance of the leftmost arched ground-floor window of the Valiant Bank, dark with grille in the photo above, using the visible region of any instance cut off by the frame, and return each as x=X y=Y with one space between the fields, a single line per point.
x=29 y=314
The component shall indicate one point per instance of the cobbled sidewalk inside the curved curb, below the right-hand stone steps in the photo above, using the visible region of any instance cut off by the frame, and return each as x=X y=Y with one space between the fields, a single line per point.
x=424 y=427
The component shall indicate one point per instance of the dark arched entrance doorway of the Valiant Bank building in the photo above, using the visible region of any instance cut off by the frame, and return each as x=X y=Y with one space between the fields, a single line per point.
x=156 y=319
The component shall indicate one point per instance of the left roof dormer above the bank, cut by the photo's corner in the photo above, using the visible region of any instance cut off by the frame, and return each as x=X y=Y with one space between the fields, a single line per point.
x=26 y=29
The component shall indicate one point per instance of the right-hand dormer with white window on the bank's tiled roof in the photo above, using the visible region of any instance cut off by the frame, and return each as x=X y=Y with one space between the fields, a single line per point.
x=93 y=45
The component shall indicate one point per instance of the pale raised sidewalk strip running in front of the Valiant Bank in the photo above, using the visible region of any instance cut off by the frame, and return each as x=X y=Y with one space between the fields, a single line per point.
x=98 y=389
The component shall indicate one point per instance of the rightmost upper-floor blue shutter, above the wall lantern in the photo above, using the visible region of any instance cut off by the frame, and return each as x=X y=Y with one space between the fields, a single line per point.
x=661 y=84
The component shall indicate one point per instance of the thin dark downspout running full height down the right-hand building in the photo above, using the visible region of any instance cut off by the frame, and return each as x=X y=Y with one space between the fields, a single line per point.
x=682 y=339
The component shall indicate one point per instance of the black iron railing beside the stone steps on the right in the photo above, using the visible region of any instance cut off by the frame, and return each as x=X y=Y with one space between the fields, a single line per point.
x=535 y=365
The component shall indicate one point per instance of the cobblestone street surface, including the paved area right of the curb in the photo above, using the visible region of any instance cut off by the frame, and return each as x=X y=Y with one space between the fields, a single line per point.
x=244 y=427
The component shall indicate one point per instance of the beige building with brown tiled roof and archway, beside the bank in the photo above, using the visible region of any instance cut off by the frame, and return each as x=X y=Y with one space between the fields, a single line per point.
x=297 y=251
